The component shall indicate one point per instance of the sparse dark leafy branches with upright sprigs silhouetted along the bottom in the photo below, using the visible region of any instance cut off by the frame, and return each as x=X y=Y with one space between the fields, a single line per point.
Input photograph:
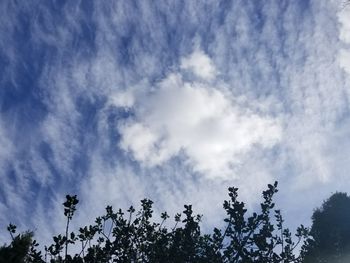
x=132 y=236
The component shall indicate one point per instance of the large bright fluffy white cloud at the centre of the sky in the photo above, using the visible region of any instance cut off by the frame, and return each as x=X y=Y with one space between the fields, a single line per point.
x=203 y=122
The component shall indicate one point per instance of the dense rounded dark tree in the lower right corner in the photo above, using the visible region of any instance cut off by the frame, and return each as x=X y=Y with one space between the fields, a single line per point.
x=331 y=231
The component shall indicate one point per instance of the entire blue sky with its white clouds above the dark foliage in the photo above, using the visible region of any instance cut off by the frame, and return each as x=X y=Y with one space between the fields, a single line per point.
x=172 y=100
